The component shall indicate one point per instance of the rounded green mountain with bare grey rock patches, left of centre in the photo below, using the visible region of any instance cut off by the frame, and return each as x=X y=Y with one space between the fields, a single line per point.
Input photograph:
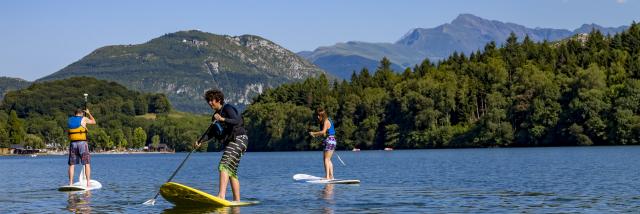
x=185 y=64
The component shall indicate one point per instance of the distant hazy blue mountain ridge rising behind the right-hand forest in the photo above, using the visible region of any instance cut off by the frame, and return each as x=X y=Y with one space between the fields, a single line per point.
x=466 y=33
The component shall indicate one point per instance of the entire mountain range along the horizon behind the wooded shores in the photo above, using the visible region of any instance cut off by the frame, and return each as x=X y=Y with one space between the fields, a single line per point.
x=184 y=64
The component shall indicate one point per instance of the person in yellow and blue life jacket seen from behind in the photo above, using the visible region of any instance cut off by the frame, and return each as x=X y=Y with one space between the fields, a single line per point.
x=79 y=147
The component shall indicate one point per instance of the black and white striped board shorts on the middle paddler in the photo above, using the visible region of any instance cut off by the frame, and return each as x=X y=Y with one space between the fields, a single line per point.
x=232 y=154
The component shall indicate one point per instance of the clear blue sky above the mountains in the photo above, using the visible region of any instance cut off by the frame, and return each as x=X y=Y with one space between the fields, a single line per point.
x=38 y=38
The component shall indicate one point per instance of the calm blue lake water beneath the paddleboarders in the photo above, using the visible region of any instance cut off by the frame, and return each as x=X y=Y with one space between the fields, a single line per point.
x=539 y=180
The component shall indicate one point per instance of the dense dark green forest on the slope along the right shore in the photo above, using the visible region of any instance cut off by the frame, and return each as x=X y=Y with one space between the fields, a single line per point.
x=580 y=91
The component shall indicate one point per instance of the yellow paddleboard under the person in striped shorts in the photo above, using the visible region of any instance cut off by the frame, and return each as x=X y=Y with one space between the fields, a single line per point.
x=185 y=196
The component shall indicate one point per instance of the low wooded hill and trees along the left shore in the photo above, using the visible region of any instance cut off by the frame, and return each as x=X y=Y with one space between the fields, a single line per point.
x=36 y=117
